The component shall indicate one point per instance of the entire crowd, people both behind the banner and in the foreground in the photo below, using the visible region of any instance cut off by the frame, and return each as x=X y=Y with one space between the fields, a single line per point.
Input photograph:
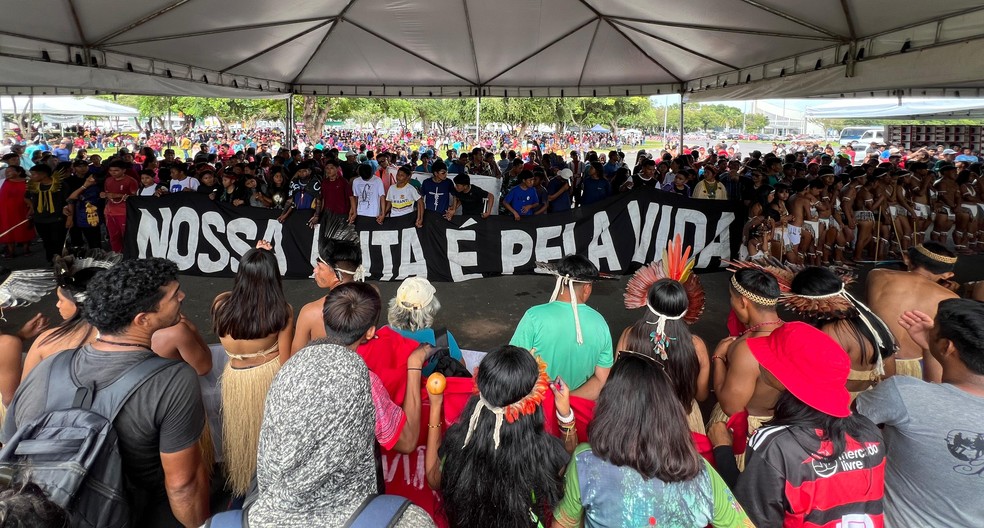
x=827 y=411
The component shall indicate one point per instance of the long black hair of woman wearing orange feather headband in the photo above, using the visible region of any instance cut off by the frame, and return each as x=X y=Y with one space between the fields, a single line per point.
x=484 y=486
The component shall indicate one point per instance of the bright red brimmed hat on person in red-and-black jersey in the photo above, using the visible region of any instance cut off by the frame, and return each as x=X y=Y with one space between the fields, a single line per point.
x=811 y=365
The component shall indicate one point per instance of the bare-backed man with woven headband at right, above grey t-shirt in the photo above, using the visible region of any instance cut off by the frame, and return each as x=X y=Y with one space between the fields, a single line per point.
x=892 y=293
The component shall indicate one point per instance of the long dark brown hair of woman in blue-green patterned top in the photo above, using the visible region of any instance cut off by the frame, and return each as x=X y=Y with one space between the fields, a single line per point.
x=639 y=423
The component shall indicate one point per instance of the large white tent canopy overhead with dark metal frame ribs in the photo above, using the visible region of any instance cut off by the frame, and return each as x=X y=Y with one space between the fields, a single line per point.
x=707 y=49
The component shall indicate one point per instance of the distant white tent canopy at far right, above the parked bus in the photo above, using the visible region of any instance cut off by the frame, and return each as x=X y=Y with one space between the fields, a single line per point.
x=896 y=109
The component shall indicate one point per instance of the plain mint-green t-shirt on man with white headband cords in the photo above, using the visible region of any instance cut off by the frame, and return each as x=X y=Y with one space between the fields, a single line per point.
x=549 y=328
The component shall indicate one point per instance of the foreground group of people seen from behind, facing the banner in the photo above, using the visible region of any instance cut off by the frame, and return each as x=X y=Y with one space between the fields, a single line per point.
x=566 y=426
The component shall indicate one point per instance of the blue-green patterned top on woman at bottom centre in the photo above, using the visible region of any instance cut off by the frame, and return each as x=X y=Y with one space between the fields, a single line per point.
x=608 y=496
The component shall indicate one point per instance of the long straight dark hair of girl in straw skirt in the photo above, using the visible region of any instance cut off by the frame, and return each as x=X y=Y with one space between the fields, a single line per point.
x=256 y=308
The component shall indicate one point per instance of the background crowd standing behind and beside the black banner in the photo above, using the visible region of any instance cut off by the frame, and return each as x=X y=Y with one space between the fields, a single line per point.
x=806 y=205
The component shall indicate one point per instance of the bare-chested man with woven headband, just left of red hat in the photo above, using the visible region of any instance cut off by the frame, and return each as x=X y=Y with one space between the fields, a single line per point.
x=753 y=296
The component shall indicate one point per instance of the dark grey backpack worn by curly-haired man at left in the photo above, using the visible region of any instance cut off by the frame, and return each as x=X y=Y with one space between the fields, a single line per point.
x=71 y=451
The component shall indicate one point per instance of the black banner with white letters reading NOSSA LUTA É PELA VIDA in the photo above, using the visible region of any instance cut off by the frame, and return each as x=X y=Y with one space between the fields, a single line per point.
x=618 y=234
